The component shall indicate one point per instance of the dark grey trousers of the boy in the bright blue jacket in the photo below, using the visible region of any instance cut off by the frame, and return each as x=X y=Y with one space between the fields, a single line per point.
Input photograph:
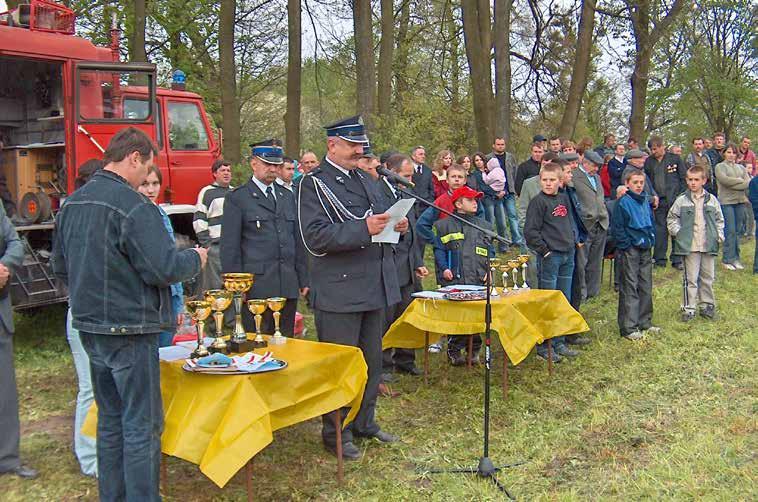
x=635 y=310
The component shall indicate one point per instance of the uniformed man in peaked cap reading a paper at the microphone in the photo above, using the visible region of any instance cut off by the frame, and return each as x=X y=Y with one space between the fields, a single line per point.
x=352 y=279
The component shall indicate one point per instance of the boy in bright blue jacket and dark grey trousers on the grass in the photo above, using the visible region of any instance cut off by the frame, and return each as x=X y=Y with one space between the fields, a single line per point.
x=634 y=232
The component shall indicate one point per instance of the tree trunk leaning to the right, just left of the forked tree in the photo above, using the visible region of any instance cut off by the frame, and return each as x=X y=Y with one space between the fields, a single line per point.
x=580 y=71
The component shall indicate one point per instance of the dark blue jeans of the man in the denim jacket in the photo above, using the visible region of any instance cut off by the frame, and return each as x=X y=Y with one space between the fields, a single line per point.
x=126 y=376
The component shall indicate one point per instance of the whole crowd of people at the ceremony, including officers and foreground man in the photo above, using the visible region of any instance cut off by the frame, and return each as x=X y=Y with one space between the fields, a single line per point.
x=304 y=228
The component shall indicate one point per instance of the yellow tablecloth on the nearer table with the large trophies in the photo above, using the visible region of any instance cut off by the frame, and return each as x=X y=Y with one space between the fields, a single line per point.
x=221 y=422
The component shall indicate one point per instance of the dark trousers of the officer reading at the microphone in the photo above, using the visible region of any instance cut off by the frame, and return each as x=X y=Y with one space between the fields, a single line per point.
x=363 y=330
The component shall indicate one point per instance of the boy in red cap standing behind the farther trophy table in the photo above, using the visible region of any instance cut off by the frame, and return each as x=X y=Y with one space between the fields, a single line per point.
x=461 y=253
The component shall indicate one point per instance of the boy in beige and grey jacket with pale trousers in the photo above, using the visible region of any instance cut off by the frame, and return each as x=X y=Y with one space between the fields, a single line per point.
x=696 y=222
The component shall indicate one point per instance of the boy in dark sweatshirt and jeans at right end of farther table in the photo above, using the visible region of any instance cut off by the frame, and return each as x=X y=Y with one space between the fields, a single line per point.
x=551 y=233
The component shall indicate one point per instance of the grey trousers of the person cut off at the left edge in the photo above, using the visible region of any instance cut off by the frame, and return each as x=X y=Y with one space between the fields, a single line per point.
x=9 y=423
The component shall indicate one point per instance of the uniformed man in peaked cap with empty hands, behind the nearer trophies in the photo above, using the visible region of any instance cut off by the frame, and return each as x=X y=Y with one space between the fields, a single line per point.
x=259 y=236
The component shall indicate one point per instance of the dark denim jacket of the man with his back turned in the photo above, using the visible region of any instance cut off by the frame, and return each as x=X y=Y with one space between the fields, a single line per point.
x=114 y=253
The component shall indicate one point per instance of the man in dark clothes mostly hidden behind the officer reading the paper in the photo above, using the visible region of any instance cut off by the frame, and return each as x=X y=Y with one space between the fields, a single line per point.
x=410 y=267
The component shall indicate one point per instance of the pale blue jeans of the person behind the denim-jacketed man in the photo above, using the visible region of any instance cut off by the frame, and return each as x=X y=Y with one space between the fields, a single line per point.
x=84 y=446
